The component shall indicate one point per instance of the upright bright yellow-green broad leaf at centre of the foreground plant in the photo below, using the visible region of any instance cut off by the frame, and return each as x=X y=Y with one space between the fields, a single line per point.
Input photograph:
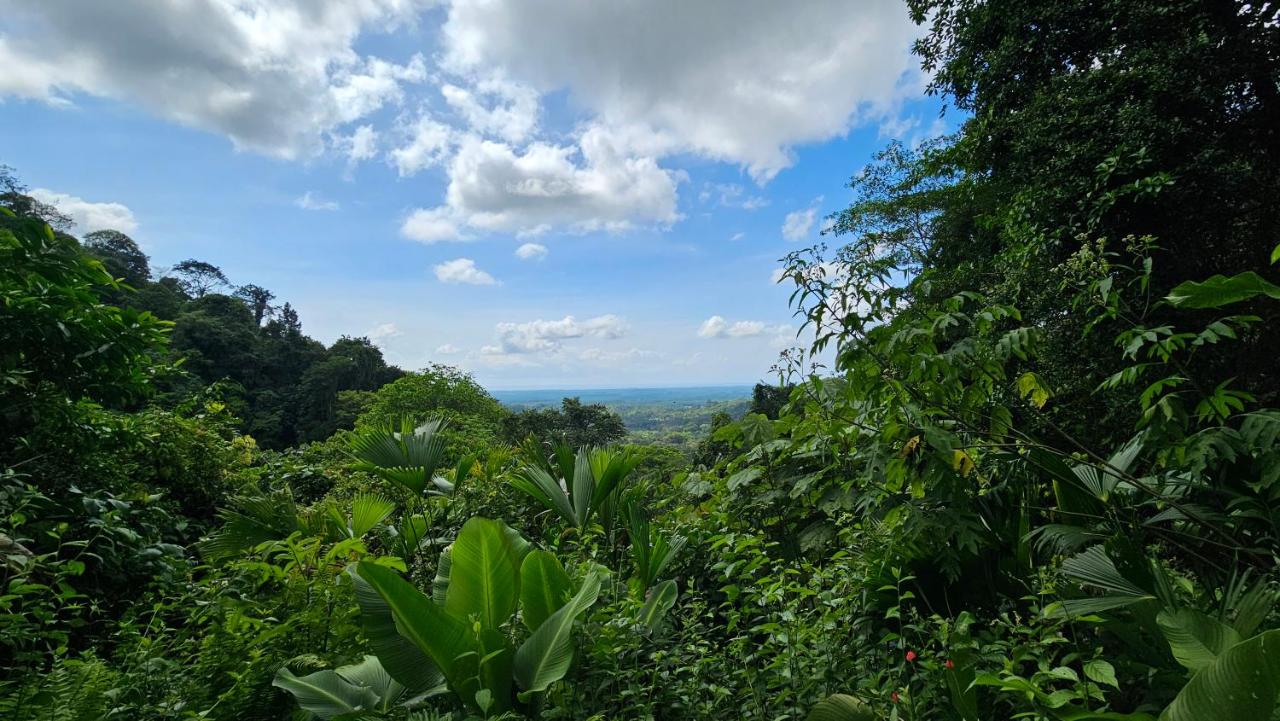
x=484 y=578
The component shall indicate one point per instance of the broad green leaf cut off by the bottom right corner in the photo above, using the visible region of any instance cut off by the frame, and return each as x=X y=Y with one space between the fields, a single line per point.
x=1241 y=685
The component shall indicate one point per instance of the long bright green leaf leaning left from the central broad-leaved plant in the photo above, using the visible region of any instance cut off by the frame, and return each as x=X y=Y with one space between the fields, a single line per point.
x=438 y=635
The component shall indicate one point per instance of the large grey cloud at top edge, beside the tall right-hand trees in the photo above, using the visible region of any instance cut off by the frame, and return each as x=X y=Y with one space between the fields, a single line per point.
x=797 y=72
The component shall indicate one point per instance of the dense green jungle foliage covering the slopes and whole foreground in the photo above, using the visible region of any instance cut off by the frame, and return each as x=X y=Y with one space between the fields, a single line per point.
x=1037 y=481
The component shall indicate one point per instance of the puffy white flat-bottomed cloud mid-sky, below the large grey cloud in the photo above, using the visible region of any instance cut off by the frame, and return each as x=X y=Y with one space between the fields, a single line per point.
x=591 y=186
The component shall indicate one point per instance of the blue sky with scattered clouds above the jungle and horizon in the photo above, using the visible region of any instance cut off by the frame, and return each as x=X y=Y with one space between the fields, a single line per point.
x=548 y=194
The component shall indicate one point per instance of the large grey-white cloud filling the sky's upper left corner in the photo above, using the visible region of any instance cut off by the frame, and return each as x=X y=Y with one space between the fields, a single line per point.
x=275 y=77
